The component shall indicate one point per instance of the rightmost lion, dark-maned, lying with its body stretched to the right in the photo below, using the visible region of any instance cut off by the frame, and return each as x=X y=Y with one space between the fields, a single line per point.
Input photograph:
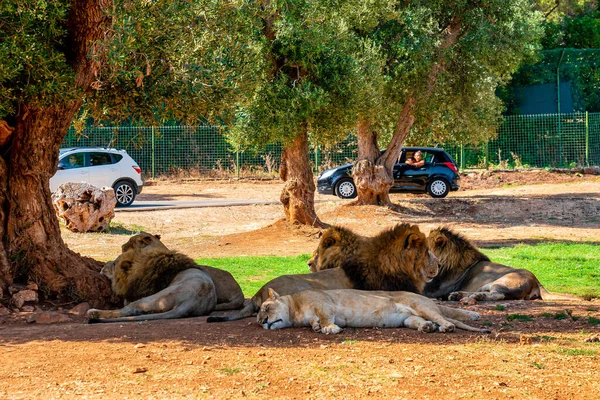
x=466 y=273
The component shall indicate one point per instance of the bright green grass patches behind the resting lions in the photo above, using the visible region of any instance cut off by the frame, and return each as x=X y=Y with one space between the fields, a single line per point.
x=560 y=267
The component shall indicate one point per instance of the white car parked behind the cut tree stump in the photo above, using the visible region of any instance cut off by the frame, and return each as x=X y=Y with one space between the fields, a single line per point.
x=100 y=167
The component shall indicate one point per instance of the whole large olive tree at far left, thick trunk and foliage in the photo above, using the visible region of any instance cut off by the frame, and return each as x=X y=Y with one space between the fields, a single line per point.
x=121 y=59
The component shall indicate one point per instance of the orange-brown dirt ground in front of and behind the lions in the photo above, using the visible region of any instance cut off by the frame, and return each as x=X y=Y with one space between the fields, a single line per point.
x=553 y=355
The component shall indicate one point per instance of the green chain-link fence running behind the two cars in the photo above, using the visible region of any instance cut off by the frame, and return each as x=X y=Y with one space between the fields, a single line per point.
x=565 y=140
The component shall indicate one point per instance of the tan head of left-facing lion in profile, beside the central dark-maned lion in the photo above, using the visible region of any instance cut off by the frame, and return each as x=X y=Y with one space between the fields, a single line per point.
x=337 y=244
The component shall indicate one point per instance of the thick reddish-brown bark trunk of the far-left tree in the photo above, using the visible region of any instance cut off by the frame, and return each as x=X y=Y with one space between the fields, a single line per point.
x=31 y=247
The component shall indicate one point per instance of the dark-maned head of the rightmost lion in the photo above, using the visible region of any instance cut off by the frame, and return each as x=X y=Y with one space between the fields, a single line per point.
x=453 y=250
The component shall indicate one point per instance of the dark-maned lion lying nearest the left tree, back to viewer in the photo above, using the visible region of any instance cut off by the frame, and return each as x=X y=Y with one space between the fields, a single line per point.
x=160 y=285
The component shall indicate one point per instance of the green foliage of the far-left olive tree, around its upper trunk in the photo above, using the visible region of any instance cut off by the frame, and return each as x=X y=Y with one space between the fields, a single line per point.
x=183 y=61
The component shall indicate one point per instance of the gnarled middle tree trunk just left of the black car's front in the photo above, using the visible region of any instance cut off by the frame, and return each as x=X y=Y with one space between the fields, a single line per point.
x=298 y=192
